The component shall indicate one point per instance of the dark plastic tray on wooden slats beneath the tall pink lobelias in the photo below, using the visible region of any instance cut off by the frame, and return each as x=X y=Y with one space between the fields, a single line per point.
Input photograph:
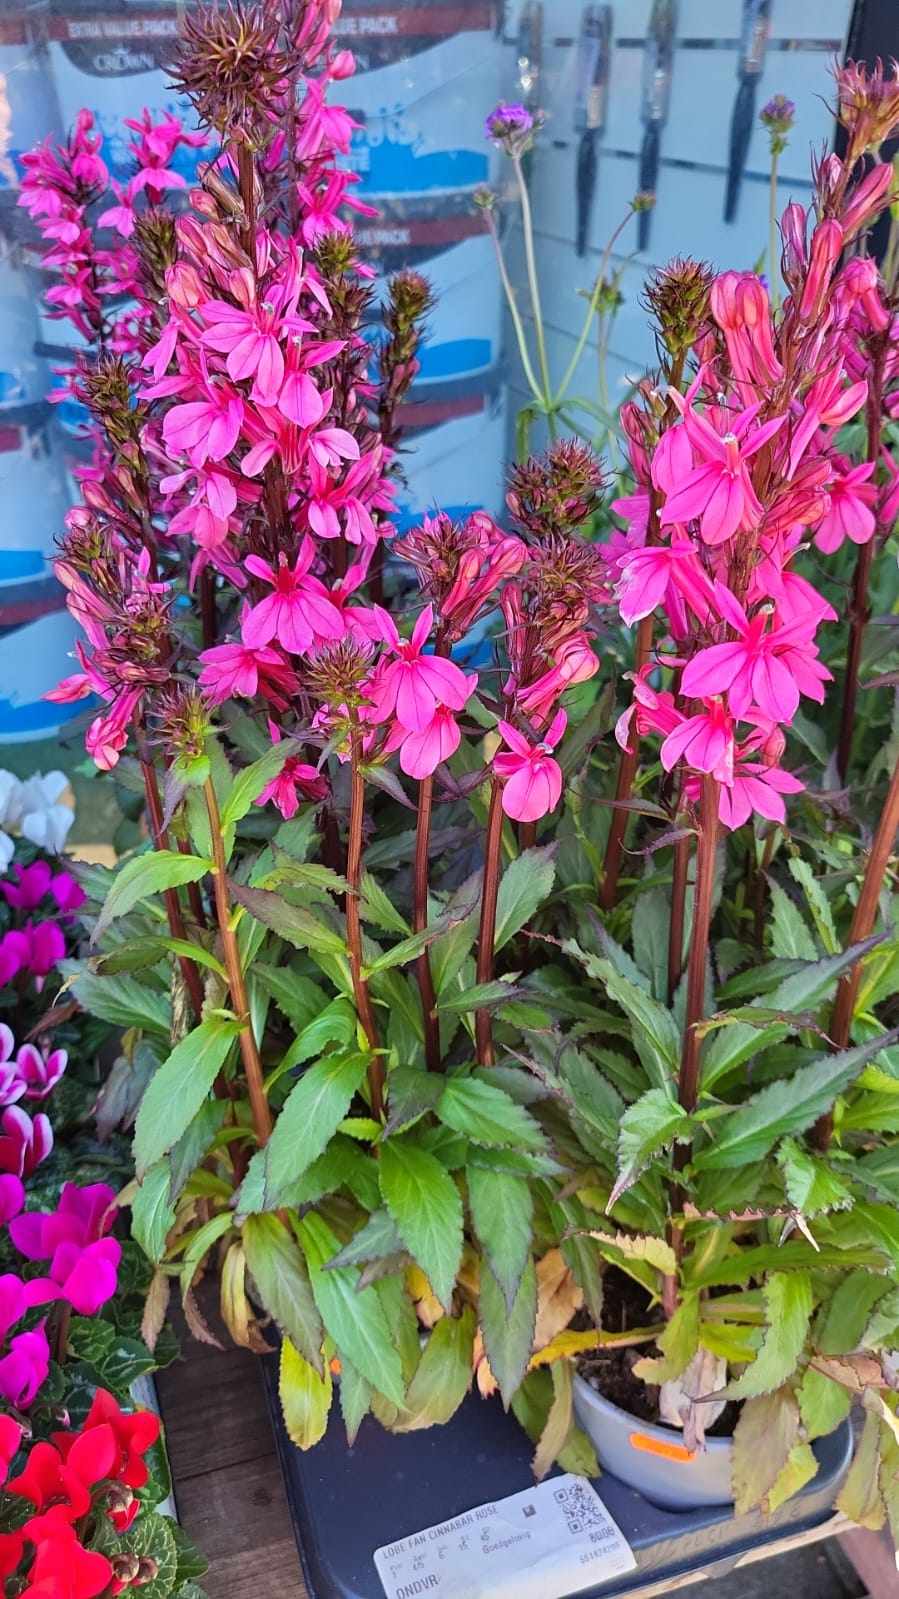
x=350 y=1502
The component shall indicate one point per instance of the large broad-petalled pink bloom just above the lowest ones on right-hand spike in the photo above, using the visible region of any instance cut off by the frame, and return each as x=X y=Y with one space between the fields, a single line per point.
x=761 y=669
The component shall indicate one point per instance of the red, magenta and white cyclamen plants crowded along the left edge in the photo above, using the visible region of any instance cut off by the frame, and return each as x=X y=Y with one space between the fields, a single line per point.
x=82 y=1464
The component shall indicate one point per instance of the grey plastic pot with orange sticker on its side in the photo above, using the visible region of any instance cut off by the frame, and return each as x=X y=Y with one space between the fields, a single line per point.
x=653 y=1459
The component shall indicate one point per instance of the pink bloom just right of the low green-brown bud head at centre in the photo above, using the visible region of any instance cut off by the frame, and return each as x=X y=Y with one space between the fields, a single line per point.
x=415 y=685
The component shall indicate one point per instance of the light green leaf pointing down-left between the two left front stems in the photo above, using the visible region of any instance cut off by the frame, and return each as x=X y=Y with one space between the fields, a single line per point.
x=310 y=1119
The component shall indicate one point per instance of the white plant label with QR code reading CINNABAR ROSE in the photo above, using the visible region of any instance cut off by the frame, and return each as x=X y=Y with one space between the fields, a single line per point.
x=546 y=1544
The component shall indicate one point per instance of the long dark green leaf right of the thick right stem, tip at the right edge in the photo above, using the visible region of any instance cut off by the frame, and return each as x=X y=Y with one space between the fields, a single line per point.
x=786 y=1107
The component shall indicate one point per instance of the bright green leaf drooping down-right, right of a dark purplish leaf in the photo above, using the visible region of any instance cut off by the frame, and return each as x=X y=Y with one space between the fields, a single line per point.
x=353 y=1317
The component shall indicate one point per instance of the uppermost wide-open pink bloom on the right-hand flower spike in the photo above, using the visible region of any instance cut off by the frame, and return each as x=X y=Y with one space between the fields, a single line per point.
x=719 y=492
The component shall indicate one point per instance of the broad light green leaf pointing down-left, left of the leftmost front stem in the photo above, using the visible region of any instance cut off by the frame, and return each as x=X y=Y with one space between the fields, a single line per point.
x=178 y=1090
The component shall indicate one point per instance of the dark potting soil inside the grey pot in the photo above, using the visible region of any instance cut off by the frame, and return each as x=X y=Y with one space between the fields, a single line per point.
x=612 y=1371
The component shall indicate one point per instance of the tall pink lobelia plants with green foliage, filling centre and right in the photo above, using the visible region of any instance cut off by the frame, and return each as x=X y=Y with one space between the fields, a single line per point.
x=498 y=1007
